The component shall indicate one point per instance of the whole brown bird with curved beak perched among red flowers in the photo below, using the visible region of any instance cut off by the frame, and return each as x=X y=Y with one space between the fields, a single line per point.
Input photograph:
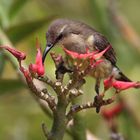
x=77 y=36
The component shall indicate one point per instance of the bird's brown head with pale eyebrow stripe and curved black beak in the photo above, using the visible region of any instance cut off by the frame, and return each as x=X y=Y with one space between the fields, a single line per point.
x=57 y=30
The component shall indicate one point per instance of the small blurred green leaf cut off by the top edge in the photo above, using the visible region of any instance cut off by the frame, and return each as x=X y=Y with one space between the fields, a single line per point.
x=16 y=7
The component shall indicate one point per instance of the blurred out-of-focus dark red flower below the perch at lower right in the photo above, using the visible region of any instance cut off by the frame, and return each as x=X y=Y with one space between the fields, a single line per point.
x=109 y=114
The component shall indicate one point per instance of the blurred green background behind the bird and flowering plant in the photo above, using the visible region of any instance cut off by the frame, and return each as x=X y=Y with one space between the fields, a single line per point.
x=21 y=21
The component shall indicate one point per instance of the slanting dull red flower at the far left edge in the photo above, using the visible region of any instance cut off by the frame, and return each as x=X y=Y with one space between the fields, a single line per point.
x=19 y=55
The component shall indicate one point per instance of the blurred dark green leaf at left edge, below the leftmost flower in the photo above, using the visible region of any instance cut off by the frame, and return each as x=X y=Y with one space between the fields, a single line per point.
x=10 y=85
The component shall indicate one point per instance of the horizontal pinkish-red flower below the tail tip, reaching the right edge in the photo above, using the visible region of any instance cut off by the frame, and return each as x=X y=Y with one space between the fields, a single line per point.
x=120 y=85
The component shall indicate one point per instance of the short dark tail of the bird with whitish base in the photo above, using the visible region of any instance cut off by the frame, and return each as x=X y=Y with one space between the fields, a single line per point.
x=119 y=75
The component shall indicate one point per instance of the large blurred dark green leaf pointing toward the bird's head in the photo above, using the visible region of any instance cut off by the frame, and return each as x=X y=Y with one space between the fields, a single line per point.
x=19 y=32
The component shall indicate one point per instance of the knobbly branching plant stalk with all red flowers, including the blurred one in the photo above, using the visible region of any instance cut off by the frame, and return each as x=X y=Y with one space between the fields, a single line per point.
x=66 y=93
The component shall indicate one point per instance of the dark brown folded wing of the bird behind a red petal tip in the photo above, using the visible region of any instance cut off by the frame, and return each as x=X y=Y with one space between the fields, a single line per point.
x=102 y=43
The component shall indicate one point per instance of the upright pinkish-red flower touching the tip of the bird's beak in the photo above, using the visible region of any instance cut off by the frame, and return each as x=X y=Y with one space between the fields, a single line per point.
x=38 y=67
